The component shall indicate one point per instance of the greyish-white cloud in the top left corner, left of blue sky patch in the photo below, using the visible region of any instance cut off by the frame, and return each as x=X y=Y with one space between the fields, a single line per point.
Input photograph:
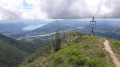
x=10 y=9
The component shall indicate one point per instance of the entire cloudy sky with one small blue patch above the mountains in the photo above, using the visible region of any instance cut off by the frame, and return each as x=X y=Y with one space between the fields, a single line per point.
x=59 y=9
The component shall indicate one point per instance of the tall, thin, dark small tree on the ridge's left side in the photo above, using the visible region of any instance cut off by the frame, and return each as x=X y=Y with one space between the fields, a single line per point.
x=57 y=42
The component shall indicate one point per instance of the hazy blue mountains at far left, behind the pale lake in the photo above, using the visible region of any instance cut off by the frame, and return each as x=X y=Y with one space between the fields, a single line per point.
x=17 y=26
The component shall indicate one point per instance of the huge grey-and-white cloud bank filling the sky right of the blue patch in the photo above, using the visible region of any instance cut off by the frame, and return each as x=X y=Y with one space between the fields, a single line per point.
x=77 y=9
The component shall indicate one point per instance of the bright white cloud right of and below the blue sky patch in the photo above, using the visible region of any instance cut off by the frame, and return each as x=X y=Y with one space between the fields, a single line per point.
x=36 y=12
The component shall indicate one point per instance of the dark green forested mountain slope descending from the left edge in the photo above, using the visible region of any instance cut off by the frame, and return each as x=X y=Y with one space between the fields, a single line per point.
x=12 y=52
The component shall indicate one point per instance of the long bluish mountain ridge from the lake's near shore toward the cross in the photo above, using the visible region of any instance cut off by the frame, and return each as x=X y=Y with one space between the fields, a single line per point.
x=52 y=26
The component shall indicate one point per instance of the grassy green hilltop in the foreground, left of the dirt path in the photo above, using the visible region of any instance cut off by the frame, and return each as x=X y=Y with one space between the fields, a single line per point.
x=77 y=50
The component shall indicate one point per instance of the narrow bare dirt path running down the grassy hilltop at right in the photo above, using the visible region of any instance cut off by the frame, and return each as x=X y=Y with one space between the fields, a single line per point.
x=114 y=58
